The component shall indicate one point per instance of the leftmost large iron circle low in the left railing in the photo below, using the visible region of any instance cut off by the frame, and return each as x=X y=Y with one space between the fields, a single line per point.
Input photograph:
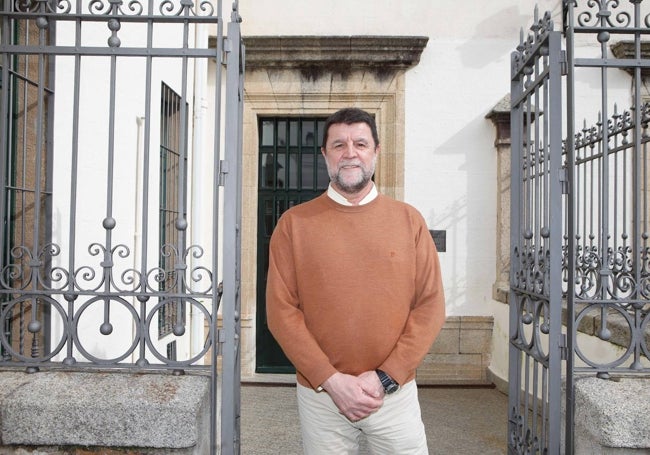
x=34 y=328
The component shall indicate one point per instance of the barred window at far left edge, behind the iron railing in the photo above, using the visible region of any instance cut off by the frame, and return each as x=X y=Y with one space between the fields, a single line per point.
x=27 y=188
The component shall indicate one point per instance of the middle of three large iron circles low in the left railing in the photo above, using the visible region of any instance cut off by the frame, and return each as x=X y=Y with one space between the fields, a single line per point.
x=106 y=300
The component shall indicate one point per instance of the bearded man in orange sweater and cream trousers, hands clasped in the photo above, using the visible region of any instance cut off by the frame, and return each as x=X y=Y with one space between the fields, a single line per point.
x=355 y=300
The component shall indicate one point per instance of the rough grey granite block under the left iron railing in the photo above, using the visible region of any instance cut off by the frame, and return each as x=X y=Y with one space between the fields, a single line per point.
x=109 y=413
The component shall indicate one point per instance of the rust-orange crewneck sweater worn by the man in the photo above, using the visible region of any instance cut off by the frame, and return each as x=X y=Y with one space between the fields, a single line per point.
x=353 y=289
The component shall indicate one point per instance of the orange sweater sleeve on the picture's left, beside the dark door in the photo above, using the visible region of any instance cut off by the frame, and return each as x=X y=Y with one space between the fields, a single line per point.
x=284 y=314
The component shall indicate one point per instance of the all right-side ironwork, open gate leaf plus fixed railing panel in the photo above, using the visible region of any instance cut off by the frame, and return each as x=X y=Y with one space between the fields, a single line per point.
x=579 y=214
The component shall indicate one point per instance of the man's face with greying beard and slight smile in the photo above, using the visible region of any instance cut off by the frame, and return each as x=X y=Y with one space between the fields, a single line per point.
x=350 y=154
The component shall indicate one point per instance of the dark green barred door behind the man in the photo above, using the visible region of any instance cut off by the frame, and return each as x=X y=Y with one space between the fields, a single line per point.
x=291 y=170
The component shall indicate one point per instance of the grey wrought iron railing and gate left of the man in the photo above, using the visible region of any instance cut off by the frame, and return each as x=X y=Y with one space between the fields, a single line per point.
x=120 y=190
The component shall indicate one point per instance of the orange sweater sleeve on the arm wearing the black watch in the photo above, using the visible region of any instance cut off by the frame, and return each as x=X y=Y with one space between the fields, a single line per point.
x=427 y=314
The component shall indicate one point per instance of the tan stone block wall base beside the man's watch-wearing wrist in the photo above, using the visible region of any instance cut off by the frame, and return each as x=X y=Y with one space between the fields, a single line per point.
x=461 y=353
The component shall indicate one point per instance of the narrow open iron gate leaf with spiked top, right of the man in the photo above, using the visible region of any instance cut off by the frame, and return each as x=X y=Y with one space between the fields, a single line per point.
x=536 y=243
